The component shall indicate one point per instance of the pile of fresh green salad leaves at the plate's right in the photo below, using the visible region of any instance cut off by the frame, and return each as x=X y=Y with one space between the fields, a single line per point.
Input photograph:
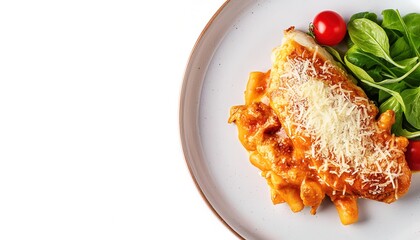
x=383 y=55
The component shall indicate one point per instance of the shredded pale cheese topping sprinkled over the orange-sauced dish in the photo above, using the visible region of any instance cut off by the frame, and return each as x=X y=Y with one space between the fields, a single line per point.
x=339 y=125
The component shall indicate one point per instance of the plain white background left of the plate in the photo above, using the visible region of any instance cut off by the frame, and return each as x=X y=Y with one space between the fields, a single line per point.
x=89 y=137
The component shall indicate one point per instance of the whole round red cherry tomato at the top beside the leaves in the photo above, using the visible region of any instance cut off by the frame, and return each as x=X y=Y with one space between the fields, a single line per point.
x=329 y=28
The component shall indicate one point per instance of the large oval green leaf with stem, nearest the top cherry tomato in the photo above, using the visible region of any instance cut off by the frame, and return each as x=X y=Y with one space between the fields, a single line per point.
x=370 y=38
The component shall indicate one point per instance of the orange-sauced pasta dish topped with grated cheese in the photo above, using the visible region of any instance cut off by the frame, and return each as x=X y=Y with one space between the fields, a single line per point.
x=314 y=133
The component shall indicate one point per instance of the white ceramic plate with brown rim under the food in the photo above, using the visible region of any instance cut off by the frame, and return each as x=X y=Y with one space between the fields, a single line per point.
x=238 y=40
